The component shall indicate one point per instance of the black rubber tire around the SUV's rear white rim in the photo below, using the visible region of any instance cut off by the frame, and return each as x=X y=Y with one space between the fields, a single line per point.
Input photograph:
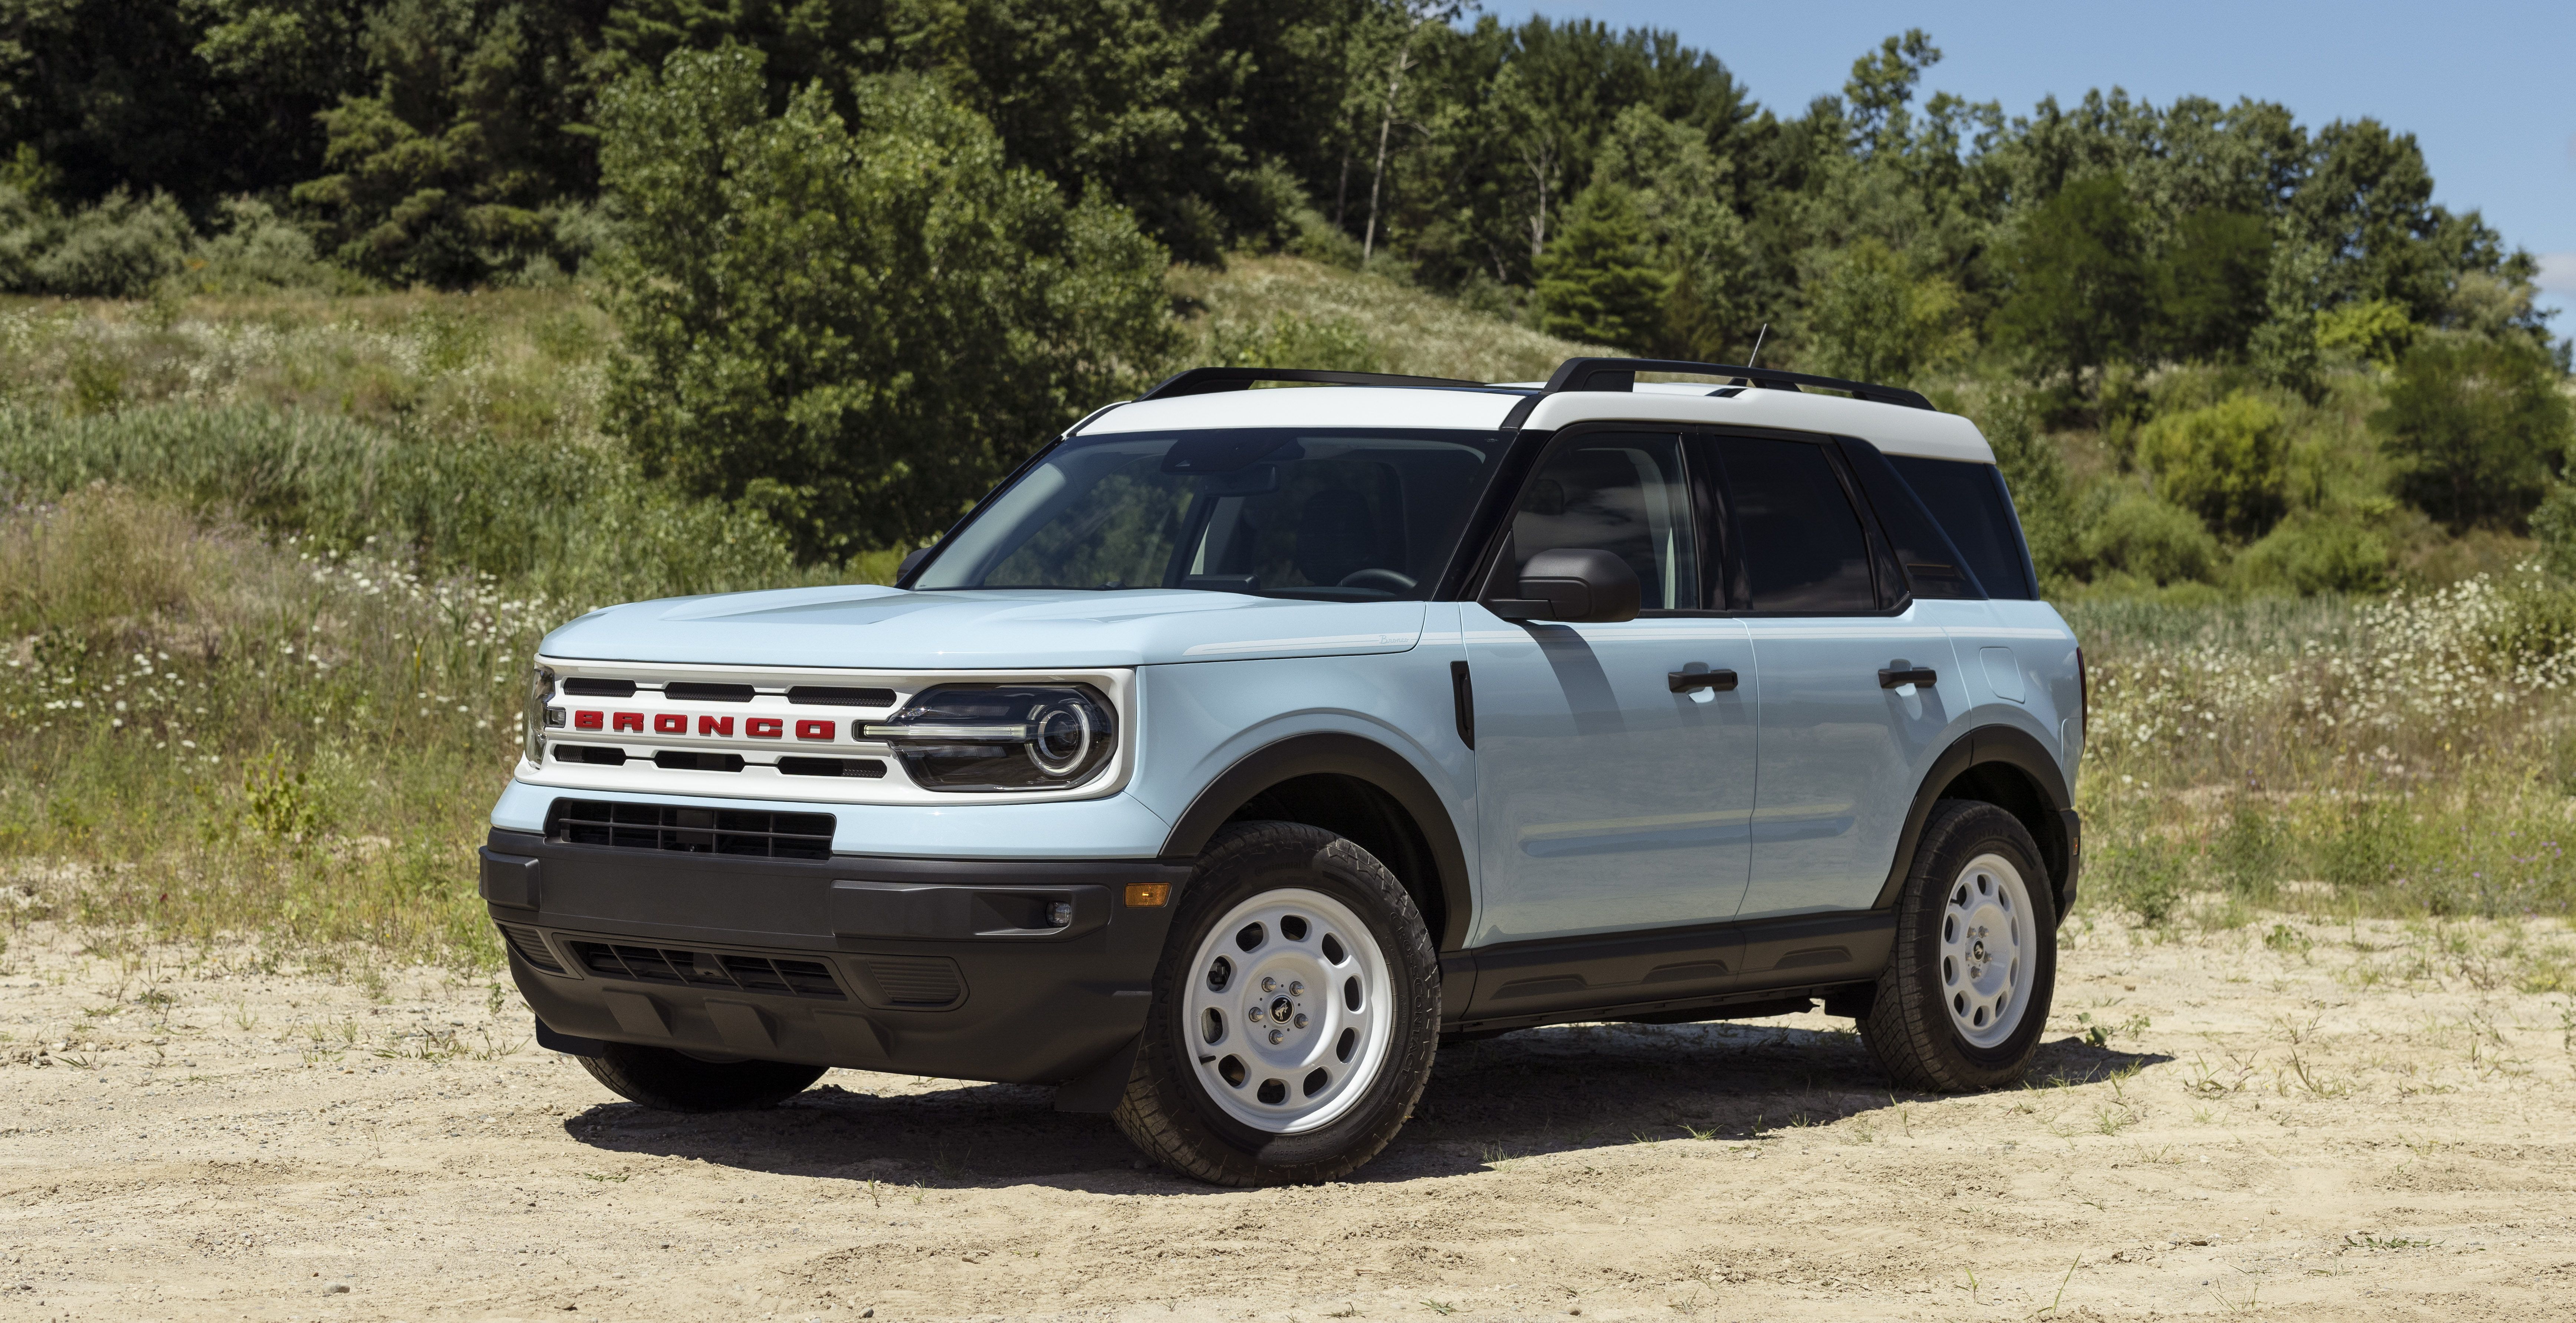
x=1913 y=1028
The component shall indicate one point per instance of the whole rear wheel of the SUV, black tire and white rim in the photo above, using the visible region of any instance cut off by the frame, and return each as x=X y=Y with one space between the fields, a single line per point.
x=1977 y=956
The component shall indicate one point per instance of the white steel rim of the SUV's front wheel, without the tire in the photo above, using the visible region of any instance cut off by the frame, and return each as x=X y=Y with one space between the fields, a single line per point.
x=1287 y=1013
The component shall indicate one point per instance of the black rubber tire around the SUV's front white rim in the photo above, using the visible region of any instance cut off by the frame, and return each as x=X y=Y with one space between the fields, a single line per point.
x=1168 y=1108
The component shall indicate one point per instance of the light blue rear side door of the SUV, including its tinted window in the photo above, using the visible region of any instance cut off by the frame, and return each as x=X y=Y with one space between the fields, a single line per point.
x=1830 y=629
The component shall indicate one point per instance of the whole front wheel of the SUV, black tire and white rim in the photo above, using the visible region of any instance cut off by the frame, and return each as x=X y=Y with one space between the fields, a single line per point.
x=1294 y=1021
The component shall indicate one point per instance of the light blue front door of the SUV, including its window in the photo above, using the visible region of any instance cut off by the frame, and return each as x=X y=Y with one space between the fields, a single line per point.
x=1611 y=797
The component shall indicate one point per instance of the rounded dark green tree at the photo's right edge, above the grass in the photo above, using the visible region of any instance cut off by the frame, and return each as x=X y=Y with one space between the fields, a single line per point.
x=2477 y=426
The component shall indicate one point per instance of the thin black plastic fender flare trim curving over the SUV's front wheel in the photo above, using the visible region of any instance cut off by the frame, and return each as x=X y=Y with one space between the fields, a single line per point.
x=1354 y=758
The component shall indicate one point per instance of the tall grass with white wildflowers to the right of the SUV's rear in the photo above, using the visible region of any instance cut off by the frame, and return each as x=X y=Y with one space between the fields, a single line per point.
x=2400 y=755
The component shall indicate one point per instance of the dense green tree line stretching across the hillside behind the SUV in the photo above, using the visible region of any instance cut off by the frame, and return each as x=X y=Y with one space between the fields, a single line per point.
x=813 y=212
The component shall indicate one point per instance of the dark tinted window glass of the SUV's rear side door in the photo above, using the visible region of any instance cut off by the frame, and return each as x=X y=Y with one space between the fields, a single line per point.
x=1804 y=552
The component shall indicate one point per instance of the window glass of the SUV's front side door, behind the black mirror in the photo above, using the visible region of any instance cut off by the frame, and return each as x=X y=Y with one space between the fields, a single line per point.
x=1619 y=493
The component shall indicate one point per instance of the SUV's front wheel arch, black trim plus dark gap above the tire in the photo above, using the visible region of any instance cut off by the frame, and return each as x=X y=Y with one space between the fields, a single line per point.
x=1354 y=789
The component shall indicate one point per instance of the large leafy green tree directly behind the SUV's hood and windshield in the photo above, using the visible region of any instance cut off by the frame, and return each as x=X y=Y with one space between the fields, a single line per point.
x=854 y=323
